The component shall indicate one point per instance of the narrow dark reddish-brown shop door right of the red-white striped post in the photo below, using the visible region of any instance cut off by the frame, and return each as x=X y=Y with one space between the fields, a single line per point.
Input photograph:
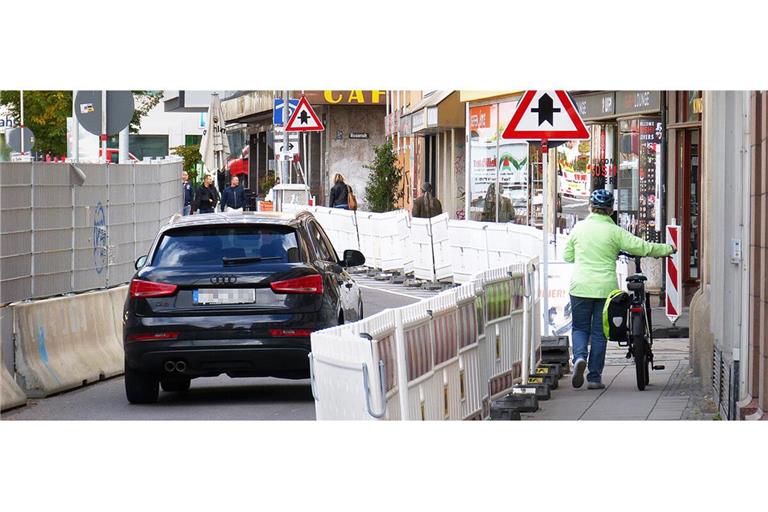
x=688 y=155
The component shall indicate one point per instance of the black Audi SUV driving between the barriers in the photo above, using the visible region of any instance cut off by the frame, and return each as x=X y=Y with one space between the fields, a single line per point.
x=233 y=293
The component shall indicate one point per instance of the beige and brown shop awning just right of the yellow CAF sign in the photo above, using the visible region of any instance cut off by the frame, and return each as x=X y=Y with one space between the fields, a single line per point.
x=437 y=112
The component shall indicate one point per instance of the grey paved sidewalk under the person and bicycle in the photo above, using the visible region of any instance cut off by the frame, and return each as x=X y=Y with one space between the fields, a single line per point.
x=670 y=395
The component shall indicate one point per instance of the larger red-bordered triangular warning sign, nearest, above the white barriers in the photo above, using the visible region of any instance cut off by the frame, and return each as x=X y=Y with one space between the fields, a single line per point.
x=546 y=115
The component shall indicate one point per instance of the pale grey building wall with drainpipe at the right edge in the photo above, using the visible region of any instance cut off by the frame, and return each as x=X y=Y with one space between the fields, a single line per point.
x=729 y=312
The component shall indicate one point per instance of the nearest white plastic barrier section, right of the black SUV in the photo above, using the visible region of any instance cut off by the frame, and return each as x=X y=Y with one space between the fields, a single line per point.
x=444 y=358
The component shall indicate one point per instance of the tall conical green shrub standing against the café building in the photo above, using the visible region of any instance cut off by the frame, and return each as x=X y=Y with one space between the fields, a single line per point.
x=383 y=190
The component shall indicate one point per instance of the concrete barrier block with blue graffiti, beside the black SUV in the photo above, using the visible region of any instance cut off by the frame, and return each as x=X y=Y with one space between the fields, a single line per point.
x=65 y=342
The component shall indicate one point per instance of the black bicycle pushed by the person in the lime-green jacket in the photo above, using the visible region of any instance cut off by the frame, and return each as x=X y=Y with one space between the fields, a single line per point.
x=640 y=326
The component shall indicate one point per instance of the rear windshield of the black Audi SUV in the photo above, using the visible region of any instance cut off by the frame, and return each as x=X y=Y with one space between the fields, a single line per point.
x=227 y=245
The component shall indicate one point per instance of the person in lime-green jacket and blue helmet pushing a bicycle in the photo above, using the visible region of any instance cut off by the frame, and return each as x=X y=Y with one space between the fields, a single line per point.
x=594 y=245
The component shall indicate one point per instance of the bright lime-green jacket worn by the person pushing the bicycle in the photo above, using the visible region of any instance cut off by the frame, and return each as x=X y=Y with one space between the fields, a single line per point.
x=593 y=246
